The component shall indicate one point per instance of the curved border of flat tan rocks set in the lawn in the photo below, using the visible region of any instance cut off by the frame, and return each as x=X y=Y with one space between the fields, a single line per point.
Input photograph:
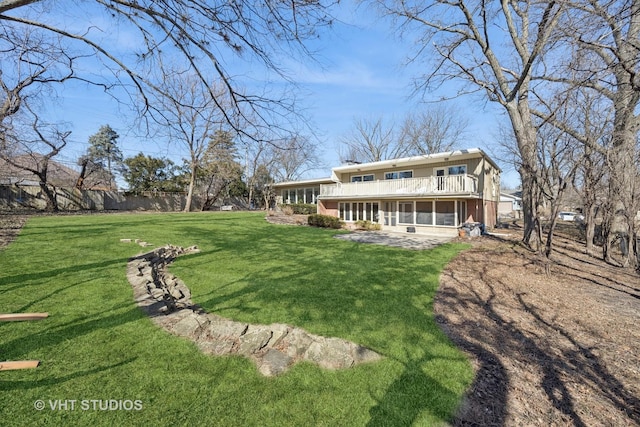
x=273 y=348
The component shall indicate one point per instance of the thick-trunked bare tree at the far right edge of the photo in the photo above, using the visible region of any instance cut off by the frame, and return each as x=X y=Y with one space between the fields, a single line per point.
x=607 y=60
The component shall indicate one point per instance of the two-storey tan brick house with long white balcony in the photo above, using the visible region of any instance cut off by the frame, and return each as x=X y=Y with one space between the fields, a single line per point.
x=429 y=193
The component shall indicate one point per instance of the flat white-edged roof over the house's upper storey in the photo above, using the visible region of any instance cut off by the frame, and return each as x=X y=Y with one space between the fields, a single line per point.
x=470 y=153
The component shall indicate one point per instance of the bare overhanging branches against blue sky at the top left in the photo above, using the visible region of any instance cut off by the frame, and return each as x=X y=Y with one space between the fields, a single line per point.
x=200 y=35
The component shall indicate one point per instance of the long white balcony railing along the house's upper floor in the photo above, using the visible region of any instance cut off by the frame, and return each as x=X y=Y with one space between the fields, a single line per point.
x=432 y=185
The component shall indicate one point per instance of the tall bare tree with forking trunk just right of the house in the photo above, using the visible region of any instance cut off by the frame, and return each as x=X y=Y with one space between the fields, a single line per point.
x=490 y=47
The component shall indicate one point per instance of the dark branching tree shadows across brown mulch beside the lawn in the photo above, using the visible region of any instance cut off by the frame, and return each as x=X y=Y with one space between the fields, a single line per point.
x=473 y=316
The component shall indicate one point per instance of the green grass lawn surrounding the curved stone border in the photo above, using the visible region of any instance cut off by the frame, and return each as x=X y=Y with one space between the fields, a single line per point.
x=97 y=345
